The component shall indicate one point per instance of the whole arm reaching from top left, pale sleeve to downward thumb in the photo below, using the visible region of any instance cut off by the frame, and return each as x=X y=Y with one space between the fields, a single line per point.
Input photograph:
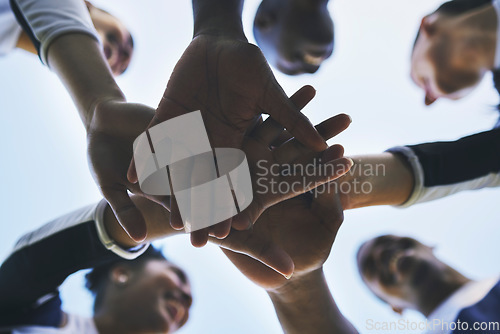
x=65 y=38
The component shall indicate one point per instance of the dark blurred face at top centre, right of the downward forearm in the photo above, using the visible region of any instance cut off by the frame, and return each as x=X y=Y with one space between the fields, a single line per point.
x=295 y=36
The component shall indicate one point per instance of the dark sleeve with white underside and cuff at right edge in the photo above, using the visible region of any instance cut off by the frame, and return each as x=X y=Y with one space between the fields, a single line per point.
x=445 y=168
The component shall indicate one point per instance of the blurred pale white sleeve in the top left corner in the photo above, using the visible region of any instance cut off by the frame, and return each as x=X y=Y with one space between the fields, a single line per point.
x=10 y=30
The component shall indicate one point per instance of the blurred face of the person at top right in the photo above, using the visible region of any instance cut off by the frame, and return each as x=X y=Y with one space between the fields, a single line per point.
x=440 y=64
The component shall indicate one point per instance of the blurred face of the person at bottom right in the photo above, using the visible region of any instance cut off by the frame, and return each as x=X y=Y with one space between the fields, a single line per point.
x=396 y=268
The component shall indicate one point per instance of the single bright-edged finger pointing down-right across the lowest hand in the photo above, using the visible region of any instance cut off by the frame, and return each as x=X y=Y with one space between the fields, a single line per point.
x=260 y=249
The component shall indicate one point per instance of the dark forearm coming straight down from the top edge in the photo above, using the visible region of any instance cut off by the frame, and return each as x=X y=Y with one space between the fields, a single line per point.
x=218 y=17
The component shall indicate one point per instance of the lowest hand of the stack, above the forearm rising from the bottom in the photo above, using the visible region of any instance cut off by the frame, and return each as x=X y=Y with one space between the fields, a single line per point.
x=304 y=227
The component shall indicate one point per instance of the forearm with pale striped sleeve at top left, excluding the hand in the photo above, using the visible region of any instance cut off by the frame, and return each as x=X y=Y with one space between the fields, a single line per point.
x=63 y=34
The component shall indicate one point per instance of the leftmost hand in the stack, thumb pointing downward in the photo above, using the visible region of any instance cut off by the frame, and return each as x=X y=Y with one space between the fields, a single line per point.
x=114 y=127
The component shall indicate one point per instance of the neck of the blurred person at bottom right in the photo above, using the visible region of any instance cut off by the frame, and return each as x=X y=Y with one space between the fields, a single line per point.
x=443 y=286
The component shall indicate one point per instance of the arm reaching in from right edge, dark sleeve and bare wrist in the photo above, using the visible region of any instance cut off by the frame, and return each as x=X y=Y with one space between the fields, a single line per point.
x=408 y=175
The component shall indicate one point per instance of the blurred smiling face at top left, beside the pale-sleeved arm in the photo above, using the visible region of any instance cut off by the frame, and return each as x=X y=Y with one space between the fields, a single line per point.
x=117 y=41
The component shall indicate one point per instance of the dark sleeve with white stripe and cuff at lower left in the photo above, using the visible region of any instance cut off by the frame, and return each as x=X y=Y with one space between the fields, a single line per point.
x=42 y=260
